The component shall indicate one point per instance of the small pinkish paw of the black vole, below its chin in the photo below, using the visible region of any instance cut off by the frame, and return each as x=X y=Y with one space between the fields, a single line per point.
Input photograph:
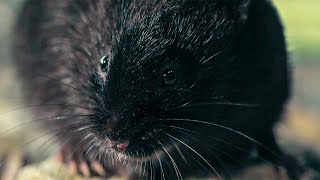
x=78 y=164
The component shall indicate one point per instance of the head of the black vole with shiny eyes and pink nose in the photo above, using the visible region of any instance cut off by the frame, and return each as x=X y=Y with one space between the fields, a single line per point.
x=158 y=58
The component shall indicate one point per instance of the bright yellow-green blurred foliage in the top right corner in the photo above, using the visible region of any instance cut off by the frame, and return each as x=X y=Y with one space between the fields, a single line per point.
x=301 y=19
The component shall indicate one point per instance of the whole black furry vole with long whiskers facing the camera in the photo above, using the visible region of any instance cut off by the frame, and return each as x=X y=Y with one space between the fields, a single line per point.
x=156 y=88
